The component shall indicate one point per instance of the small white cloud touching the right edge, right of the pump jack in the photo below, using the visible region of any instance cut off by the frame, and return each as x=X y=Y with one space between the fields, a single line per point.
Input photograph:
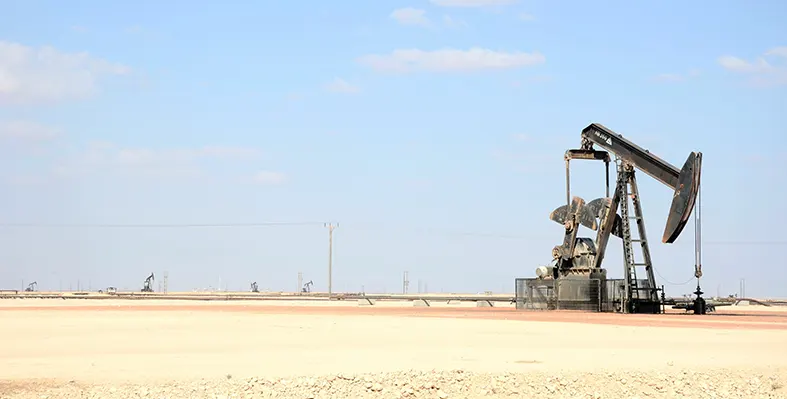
x=761 y=71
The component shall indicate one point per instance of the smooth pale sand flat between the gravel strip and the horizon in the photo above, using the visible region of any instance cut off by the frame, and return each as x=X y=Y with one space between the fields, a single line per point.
x=155 y=342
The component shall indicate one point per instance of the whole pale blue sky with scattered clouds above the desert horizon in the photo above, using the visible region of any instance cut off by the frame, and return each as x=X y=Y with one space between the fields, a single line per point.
x=418 y=126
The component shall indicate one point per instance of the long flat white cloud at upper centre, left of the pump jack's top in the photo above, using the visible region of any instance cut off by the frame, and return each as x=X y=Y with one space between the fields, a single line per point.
x=449 y=60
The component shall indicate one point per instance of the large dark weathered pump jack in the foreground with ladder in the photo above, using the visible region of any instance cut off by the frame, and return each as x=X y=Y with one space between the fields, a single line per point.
x=580 y=257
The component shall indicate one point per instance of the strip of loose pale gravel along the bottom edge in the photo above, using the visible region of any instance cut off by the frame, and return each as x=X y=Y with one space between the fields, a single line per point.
x=718 y=383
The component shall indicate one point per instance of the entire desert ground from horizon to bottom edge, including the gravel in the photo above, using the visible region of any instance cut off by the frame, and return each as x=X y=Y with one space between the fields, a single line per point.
x=111 y=348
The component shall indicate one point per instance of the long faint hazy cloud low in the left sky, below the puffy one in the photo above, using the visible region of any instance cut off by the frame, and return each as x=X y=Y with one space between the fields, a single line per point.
x=104 y=157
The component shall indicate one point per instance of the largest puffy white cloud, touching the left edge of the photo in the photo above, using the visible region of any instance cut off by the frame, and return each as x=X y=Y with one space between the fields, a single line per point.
x=40 y=75
